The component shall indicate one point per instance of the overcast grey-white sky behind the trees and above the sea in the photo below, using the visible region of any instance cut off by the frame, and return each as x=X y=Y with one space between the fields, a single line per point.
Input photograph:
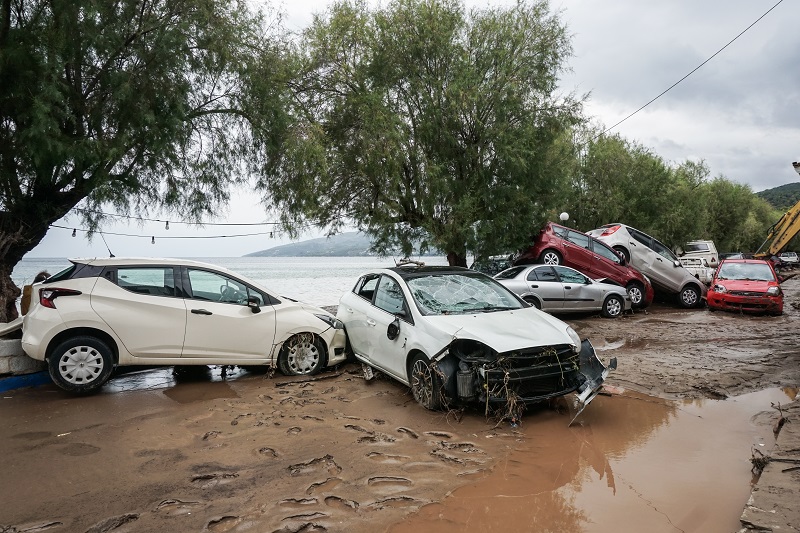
x=740 y=112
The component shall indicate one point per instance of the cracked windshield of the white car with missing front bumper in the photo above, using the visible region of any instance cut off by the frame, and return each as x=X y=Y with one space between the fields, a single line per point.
x=456 y=294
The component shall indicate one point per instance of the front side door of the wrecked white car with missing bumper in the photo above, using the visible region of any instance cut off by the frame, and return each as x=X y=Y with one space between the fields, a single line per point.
x=388 y=352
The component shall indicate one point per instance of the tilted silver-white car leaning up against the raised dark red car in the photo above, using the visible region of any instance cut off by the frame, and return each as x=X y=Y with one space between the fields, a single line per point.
x=654 y=260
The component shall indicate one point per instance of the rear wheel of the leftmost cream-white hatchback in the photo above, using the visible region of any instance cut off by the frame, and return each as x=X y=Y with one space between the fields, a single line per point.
x=81 y=364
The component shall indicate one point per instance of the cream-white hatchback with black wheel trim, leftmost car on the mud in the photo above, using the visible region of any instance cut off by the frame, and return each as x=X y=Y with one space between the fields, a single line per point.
x=101 y=313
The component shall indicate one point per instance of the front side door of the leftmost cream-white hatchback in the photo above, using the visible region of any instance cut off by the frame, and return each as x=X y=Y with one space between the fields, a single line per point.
x=219 y=323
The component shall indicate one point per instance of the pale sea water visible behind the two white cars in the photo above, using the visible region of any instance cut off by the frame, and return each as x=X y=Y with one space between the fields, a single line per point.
x=315 y=280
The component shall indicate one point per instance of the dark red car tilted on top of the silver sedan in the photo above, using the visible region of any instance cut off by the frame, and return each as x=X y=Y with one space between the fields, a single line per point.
x=559 y=245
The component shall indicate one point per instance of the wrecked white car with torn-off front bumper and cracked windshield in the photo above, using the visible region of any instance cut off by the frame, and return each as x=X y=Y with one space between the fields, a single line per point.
x=457 y=336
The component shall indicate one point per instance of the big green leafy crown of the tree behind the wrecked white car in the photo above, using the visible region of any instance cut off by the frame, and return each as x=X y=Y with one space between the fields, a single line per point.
x=422 y=122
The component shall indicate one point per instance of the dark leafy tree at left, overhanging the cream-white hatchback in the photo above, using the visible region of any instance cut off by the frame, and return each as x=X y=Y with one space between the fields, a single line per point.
x=138 y=104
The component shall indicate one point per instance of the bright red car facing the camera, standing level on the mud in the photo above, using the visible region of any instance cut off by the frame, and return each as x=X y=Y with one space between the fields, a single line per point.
x=746 y=285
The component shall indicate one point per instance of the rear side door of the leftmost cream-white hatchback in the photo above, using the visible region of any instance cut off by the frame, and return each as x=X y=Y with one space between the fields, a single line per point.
x=142 y=306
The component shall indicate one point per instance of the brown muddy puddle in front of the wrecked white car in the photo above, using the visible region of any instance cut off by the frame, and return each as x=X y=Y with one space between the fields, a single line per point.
x=633 y=463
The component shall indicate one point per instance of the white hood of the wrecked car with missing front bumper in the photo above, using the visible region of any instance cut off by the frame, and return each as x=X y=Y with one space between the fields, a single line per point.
x=504 y=330
